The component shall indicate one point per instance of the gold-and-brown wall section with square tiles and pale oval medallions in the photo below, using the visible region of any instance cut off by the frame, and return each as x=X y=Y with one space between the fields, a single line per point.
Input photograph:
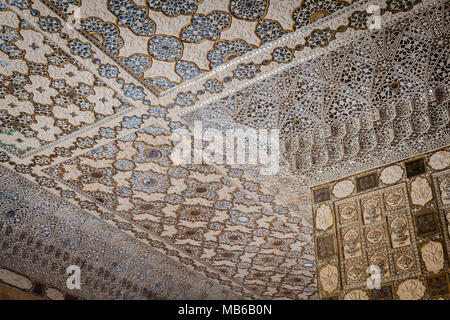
x=384 y=234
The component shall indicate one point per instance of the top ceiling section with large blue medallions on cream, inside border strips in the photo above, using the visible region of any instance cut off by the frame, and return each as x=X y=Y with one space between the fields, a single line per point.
x=165 y=43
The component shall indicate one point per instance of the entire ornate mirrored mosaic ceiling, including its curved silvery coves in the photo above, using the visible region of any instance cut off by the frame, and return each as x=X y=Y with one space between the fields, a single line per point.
x=90 y=93
